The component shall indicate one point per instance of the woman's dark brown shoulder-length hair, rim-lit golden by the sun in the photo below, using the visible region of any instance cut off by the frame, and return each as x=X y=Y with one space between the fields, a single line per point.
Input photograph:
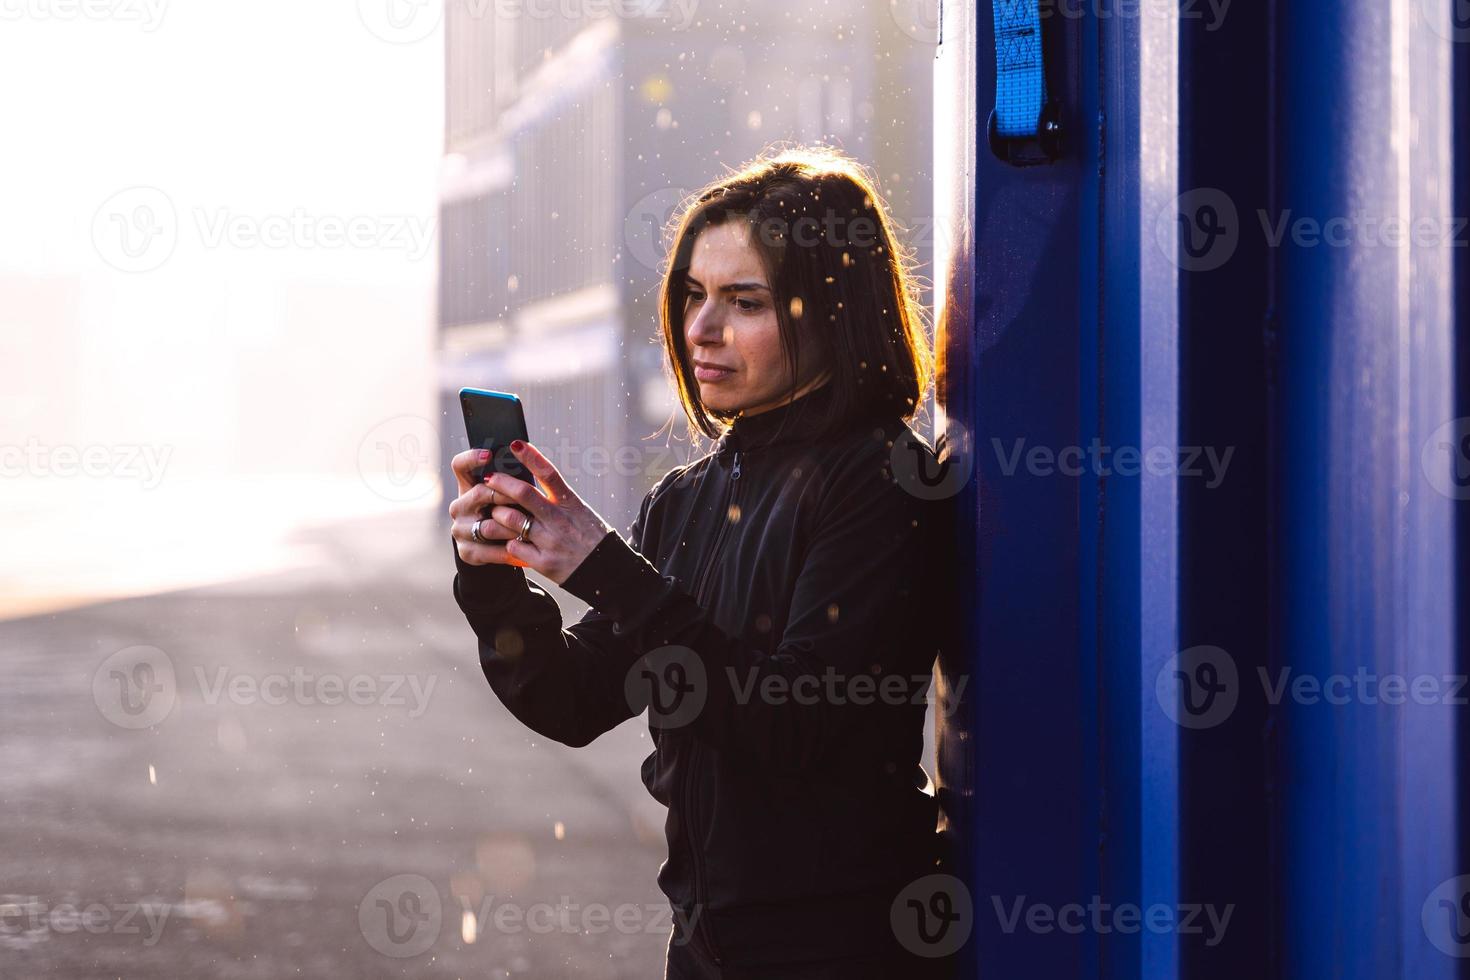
x=843 y=286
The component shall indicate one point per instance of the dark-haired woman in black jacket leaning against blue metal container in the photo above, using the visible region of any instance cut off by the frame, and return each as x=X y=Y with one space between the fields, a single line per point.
x=771 y=600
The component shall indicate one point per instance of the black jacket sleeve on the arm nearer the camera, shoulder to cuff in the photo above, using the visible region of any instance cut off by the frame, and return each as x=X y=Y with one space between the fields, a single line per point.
x=858 y=649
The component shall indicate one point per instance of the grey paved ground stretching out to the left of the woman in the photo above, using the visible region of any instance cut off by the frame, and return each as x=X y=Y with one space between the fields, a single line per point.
x=271 y=825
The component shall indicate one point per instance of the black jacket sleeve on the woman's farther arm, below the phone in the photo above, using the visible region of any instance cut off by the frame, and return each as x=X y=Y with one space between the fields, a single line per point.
x=564 y=684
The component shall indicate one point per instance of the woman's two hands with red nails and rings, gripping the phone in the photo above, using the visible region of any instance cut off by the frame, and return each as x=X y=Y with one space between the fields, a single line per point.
x=564 y=530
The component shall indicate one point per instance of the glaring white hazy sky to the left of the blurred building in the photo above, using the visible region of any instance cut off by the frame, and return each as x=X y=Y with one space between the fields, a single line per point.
x=218 y=255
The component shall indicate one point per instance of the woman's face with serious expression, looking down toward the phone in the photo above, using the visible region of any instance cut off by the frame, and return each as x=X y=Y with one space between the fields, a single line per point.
x=731 y=330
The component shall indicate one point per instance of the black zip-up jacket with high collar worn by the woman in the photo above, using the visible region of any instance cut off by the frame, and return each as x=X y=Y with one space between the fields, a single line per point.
x=787 y=586
